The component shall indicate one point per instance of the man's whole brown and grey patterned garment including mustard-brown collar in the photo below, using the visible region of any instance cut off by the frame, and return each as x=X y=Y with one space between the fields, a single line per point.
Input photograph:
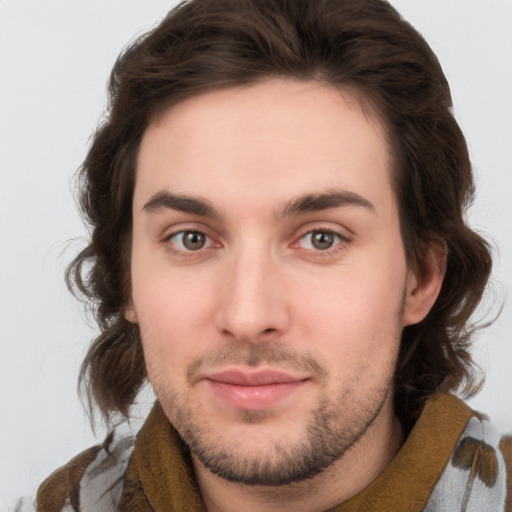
x=453 y=460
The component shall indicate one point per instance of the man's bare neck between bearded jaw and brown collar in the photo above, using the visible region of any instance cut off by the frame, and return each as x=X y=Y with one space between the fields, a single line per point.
x=347 y=476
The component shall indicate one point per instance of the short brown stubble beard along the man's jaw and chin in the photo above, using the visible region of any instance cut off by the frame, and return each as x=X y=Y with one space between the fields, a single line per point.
x=335 y=426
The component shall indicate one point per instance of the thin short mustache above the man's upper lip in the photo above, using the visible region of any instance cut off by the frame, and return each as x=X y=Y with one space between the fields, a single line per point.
x=253 y=355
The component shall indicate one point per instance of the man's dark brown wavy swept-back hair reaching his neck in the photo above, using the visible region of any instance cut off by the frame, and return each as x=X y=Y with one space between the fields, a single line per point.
x=362 y=46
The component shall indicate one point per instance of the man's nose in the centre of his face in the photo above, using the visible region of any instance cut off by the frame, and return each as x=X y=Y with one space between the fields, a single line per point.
x=252 y=304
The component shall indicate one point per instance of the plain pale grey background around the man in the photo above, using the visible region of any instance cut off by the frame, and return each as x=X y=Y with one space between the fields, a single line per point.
x=55 y=59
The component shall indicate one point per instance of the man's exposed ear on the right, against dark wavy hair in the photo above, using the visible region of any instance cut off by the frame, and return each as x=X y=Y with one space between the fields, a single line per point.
x=424 y=283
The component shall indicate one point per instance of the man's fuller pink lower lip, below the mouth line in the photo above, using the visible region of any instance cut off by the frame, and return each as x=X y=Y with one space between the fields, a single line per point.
x=253 y=398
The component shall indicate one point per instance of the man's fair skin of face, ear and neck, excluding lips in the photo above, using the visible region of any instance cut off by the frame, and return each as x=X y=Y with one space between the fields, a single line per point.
x=262 y=281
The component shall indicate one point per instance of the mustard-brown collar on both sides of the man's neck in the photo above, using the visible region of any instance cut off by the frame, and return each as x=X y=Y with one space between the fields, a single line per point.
x=160 y=476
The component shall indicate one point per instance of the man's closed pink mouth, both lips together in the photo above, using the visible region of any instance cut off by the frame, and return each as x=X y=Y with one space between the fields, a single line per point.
x=253 y=390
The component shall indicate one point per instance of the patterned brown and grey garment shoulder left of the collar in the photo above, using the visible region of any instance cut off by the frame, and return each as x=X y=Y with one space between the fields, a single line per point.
x=91 y=481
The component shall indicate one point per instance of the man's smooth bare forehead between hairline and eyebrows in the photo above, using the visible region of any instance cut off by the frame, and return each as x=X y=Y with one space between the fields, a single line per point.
x=274 y=139
